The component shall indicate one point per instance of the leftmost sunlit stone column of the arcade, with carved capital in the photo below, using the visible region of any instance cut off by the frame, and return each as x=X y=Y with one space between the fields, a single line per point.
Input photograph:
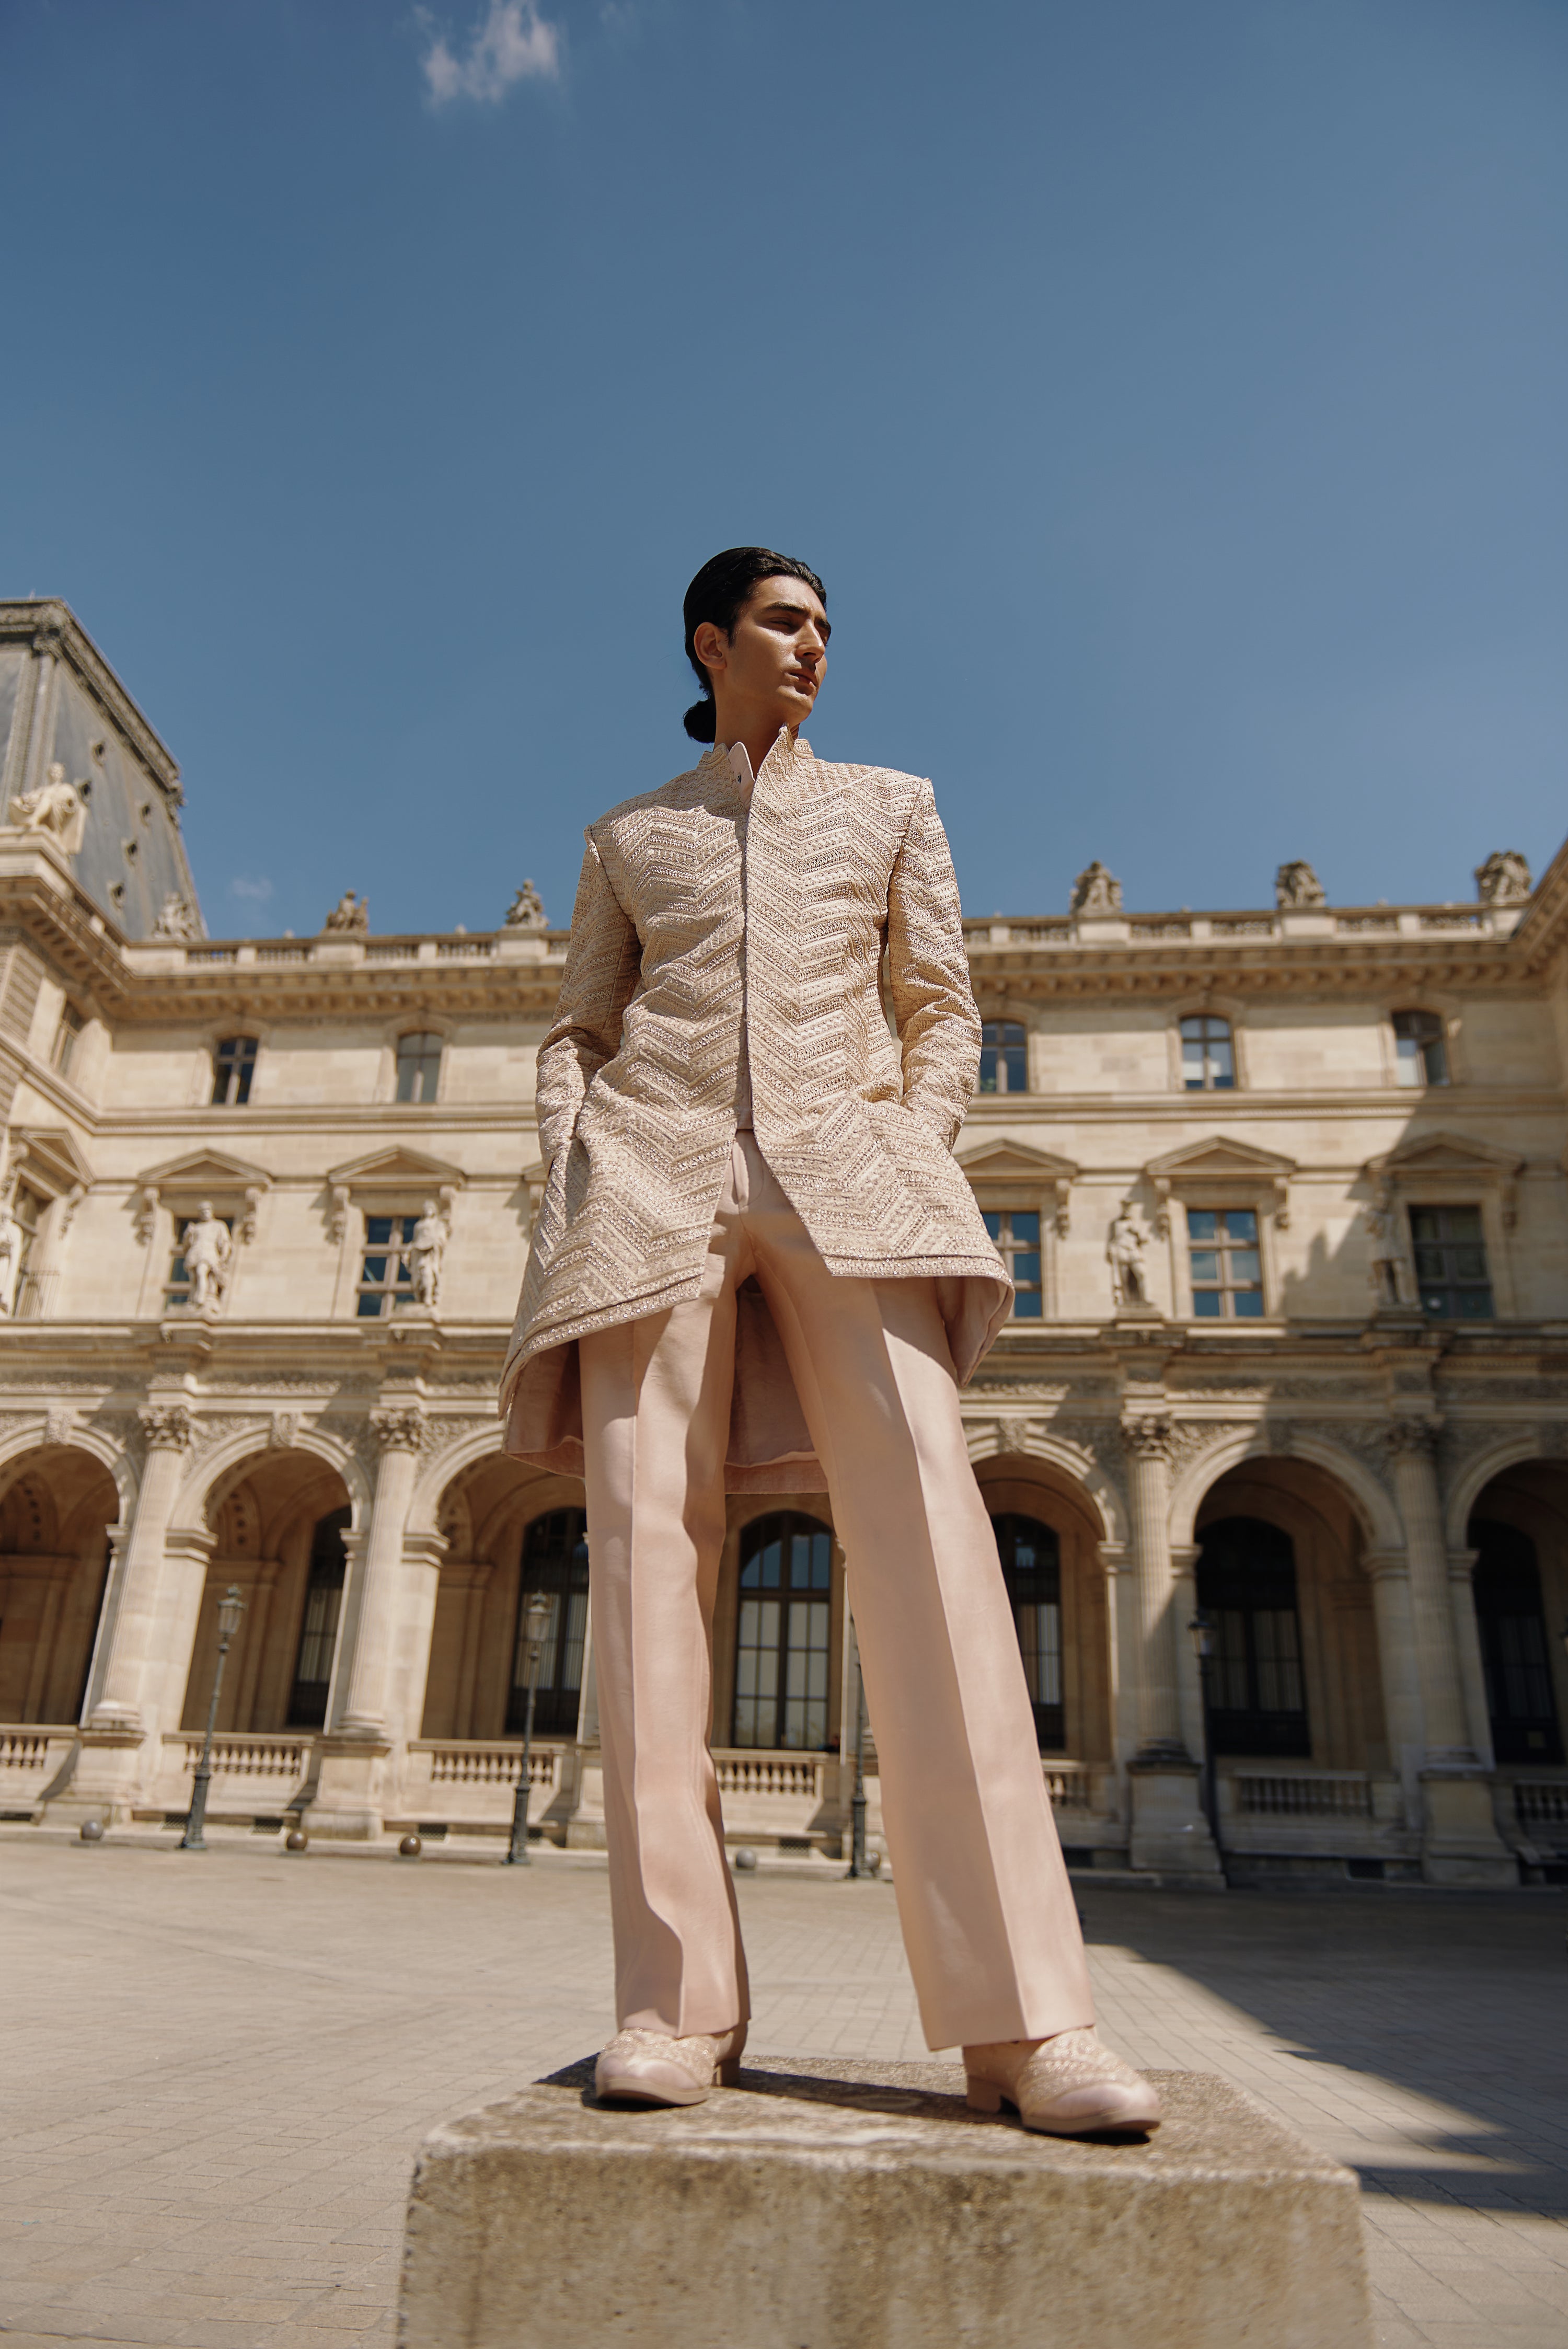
x=133 y=1662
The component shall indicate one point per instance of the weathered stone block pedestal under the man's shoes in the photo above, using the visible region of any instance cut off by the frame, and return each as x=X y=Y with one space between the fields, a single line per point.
x=863 y=2207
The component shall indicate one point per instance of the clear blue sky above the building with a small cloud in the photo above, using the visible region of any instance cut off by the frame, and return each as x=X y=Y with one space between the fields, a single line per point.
x=1170 y=391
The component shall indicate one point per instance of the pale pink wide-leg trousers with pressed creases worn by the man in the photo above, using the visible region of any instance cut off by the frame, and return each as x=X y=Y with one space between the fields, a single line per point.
x=985 y=1902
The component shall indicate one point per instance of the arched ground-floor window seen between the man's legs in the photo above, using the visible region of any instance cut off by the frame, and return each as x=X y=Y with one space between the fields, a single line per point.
x=783 y=1634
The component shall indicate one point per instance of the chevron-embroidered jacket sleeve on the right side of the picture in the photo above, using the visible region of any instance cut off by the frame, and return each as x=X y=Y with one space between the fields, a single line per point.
x=933 y=1002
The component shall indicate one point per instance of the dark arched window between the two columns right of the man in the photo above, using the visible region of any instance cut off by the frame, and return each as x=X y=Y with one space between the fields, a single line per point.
x=1248 y=1589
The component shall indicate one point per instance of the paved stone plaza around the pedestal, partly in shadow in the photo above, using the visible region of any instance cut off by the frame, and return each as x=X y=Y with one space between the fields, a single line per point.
x=219 y=2066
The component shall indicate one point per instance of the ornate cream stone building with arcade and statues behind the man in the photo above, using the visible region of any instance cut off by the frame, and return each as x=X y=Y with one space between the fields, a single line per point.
x=1287 y=1206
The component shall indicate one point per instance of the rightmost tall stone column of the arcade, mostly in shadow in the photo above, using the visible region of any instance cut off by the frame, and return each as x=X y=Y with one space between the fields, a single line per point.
x=1461 y=1840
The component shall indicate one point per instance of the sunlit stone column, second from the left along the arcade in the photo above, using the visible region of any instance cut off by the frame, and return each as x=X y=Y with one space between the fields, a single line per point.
x=353 y=1754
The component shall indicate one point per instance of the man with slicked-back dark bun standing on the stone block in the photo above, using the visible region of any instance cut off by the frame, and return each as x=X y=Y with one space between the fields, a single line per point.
x=759 y=1267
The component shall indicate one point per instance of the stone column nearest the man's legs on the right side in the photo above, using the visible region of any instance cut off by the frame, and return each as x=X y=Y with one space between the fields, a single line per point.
x=1170 y=1833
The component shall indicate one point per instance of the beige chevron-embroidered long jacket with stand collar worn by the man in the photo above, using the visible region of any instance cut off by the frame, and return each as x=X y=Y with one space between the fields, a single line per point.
x=708 y=915
